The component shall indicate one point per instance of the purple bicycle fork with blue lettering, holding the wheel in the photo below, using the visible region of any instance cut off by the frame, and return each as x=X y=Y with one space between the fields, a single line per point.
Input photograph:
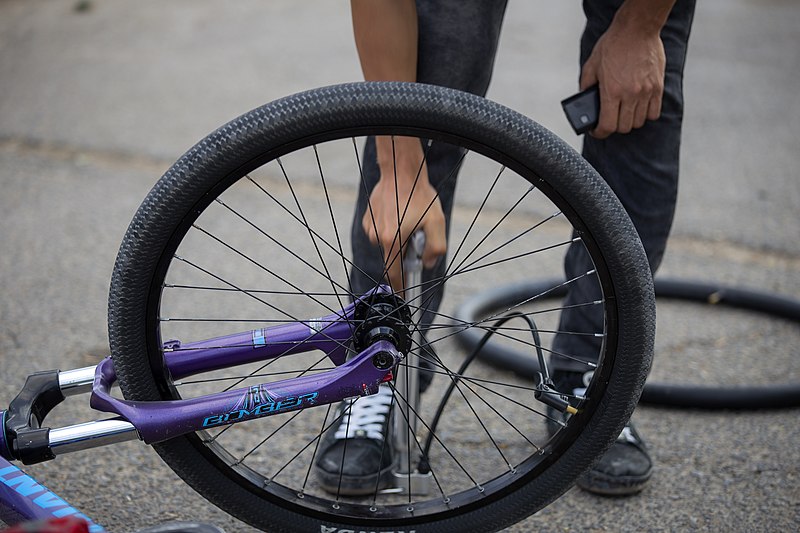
x=23 y=437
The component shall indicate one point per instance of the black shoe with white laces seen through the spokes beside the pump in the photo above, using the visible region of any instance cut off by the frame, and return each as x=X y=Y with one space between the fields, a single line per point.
x=356 y=454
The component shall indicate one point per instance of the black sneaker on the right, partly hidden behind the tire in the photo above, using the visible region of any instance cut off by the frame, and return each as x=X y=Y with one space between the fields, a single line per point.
x=626 y=467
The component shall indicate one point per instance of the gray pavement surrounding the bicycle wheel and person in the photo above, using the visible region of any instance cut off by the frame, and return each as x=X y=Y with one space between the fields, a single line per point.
x=97 y=98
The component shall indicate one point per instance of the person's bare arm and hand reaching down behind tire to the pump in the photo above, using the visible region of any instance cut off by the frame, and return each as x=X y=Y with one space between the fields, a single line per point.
x=386 y=39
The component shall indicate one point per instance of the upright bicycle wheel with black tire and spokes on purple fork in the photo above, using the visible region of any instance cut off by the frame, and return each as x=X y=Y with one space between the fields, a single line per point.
x=251 y=228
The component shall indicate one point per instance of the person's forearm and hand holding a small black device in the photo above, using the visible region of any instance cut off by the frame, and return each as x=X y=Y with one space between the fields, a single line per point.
x=628 y=63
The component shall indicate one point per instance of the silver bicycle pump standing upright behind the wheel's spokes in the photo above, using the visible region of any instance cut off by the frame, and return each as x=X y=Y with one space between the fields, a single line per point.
x=407 y=381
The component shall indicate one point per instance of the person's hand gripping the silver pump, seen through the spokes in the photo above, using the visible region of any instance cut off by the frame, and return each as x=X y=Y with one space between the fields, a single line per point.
x=403 y=194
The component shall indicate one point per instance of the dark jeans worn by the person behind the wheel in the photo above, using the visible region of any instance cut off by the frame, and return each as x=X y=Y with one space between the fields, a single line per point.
x=457 y=45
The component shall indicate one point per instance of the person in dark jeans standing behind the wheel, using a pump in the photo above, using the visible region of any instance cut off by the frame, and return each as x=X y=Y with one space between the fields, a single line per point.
x=635 y=51
